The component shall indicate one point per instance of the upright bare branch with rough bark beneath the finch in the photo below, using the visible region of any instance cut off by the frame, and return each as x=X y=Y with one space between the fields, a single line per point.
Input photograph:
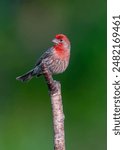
x=57 y=109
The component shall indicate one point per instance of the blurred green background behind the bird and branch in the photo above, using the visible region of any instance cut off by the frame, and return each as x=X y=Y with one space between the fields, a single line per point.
x=26 y=30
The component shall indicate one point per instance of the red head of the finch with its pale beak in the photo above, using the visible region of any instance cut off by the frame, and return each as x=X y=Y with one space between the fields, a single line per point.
x=61 y=40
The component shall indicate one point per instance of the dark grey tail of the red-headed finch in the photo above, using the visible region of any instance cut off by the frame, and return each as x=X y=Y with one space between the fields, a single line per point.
x=26 y=76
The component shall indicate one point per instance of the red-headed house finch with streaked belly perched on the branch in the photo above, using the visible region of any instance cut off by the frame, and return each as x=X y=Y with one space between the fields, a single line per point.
x=55 y=58
